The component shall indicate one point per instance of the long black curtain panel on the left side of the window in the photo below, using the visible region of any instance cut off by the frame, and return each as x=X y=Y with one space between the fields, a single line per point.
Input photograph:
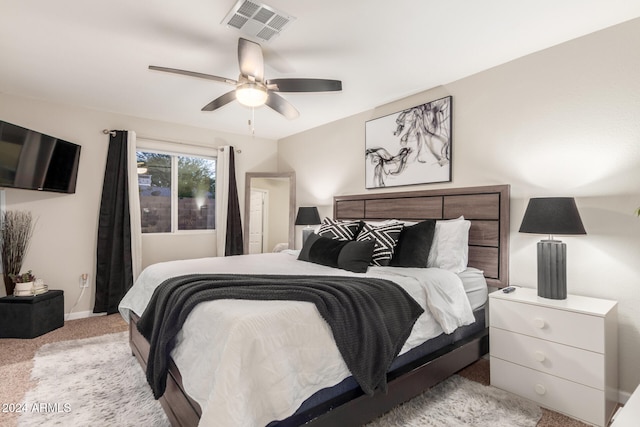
x=114 y=274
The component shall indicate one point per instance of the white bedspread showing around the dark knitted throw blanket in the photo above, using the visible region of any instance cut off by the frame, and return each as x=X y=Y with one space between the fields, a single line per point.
x=248 y=363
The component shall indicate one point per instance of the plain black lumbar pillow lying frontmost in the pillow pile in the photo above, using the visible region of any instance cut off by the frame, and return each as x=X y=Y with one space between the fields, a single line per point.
x=351 y=256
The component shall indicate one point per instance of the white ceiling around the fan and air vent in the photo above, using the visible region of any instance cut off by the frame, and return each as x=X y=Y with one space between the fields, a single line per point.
x=95 y=54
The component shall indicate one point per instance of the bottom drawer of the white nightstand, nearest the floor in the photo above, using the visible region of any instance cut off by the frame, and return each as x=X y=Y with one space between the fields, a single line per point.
x=551 y=392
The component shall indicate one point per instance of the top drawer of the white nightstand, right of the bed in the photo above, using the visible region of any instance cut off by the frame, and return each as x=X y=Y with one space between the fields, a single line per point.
x=562 y=326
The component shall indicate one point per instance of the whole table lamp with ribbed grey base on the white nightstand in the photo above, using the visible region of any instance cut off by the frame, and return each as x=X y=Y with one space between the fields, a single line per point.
x=552 y=215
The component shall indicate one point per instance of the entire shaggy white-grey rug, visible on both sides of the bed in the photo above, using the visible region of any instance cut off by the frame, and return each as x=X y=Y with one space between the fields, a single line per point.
x=97 y=382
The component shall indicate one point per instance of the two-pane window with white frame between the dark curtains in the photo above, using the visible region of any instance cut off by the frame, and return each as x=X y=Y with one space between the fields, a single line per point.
x=177 y=192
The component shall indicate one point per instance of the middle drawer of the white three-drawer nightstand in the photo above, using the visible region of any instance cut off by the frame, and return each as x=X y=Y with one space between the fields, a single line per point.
x=549 y=357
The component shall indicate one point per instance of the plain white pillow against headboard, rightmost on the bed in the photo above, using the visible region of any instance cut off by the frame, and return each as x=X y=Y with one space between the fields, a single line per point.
x=450 y=247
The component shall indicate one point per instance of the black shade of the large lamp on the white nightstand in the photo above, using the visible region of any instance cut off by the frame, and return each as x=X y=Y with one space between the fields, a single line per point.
x=552 y=215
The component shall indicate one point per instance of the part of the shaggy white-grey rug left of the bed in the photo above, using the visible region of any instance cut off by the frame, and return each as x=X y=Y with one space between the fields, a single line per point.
x=90 y=382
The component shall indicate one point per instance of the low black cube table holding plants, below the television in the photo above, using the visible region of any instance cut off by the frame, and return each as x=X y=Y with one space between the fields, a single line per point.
x=29 y=317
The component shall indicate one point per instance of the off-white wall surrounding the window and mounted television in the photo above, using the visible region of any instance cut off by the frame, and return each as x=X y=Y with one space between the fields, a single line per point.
x=64 y=241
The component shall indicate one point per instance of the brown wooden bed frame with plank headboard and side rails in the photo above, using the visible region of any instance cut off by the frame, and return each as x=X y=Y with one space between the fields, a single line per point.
x=486 y=207
